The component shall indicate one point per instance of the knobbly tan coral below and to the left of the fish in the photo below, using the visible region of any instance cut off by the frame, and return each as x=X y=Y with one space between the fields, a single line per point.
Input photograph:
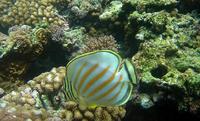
x=34 y=104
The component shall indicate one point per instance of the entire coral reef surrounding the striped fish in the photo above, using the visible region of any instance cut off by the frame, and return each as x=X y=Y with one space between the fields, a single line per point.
x=161 y=36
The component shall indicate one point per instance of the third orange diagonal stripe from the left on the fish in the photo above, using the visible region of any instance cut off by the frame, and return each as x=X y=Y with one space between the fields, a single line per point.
x=92 y=81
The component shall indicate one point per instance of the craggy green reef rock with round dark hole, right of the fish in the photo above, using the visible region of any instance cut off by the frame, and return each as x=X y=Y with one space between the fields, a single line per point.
x=168 y=54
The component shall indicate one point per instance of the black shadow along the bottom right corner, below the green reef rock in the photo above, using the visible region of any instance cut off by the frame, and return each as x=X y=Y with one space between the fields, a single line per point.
x=165 y=110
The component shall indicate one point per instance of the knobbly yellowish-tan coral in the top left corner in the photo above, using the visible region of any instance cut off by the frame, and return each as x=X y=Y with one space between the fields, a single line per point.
x=29 y=12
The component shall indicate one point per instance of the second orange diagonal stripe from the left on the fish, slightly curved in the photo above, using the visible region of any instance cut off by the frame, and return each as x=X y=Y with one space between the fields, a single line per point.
x=86 y=74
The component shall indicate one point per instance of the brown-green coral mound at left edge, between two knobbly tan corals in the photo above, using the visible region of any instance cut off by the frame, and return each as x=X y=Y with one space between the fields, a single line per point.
x=22 y=46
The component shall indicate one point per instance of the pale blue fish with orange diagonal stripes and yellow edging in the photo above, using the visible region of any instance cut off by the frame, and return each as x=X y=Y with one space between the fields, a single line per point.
x=99 y=78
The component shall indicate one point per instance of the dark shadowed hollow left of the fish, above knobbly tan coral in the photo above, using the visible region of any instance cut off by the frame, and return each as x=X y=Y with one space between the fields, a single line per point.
x=53 y=56
